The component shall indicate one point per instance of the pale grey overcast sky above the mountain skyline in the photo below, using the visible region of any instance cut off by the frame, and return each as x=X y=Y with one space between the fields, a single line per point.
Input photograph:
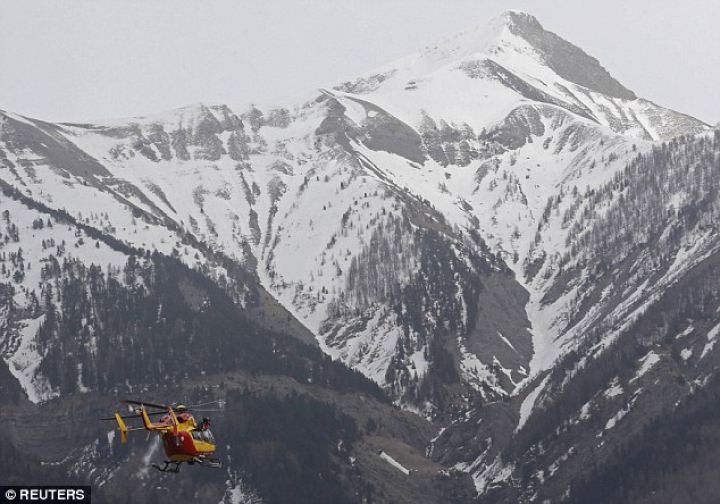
x=79 y=60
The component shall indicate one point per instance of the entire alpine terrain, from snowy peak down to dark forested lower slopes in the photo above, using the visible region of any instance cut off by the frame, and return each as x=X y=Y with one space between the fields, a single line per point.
x=487 y=272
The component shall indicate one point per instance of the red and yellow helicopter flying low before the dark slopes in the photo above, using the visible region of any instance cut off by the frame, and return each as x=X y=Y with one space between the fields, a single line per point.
x=184 y=440
